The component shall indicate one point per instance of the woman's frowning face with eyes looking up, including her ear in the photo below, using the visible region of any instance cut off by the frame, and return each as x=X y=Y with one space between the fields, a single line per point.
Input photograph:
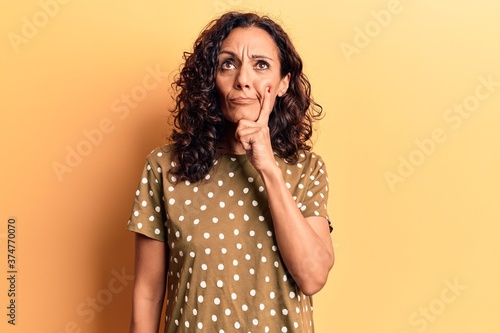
x=248 y=64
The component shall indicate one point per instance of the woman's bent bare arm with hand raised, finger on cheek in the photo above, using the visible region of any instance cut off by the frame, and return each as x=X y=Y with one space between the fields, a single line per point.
x=304 y=243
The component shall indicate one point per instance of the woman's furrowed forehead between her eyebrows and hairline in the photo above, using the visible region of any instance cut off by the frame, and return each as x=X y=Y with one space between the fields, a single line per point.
x=252 y=39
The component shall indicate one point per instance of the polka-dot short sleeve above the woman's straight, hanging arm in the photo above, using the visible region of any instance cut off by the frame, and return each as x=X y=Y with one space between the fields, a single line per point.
x=148 y=216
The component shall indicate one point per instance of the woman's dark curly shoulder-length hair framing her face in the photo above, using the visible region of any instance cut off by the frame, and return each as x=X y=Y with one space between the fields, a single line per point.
x=198 y=120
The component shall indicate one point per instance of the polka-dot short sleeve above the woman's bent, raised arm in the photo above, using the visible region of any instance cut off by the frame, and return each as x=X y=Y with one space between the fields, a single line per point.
x=316 y=198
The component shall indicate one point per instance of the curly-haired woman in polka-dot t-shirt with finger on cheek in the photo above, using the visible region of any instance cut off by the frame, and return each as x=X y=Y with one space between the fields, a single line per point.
x=231 y=217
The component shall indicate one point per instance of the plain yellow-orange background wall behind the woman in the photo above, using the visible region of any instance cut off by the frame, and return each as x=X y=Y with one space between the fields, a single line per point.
x=400 y=246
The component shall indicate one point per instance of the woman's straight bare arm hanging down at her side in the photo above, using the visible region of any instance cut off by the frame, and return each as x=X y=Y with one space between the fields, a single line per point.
x=149 y=286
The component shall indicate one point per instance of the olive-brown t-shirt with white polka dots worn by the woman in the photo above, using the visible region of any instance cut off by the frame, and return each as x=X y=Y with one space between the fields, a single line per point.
x=225 y=272
